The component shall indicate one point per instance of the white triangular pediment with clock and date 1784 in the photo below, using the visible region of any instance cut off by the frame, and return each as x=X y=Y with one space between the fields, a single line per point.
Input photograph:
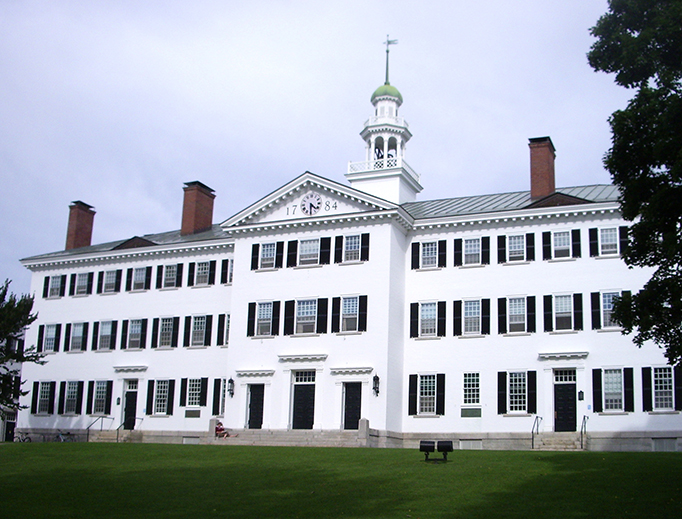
x=308 y=197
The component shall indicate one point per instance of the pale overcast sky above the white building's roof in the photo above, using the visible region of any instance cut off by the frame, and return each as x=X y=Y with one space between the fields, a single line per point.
x=118 y=103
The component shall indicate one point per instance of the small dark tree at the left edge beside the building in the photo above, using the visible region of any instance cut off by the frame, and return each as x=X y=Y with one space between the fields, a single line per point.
x=15 y=316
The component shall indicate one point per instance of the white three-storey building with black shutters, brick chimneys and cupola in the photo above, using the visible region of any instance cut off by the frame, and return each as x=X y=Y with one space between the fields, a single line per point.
x=357 y=314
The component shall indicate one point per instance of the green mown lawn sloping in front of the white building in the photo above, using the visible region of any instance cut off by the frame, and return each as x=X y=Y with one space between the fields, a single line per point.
x=74 y=480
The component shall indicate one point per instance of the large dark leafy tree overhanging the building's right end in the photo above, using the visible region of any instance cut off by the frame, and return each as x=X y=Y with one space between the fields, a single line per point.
x=641 y=42
